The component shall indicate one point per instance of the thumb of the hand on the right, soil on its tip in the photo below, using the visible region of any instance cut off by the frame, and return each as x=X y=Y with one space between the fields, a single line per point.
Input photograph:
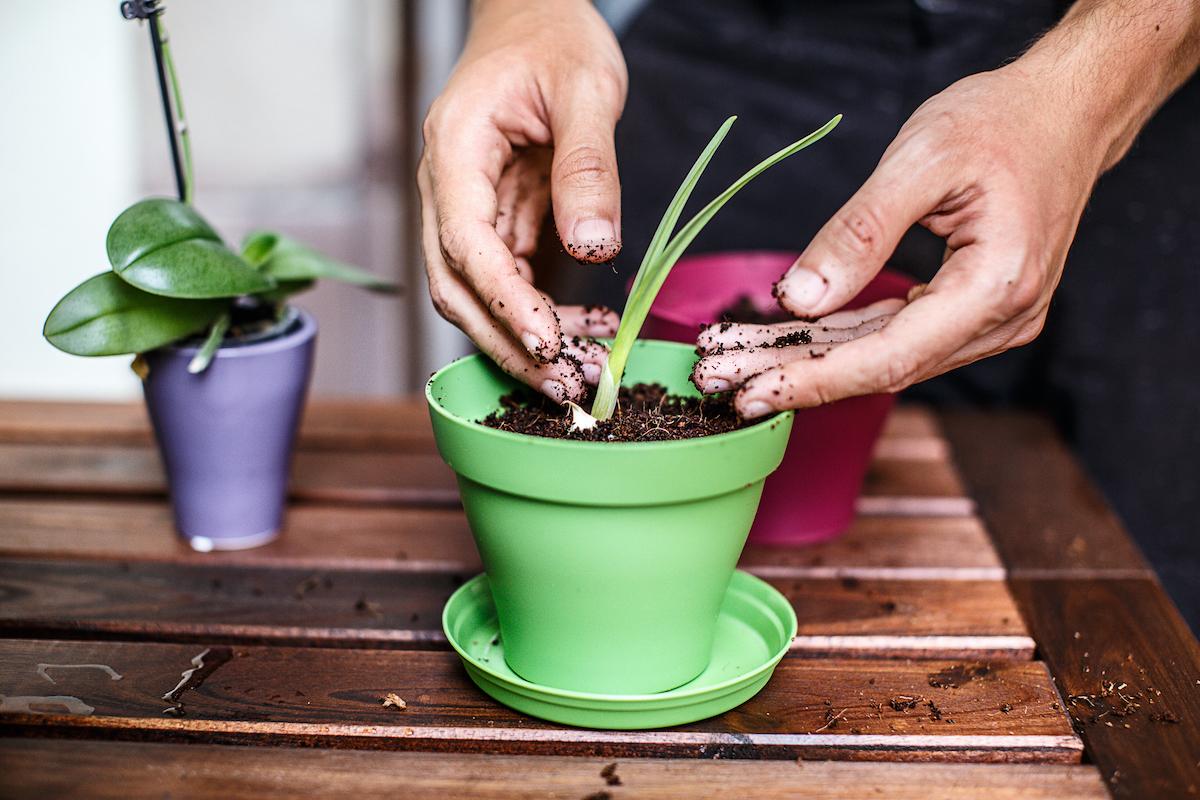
x=853 y=248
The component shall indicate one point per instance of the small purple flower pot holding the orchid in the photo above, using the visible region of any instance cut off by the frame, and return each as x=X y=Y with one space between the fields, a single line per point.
x=226 y=435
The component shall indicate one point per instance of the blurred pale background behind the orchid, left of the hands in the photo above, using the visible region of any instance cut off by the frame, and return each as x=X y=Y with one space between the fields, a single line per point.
x=305 y=118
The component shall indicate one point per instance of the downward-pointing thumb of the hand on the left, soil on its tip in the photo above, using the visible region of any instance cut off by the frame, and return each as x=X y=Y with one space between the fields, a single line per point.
x=584 y=183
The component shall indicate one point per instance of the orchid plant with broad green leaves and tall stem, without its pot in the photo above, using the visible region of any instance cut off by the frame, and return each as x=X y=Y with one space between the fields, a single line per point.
x=172 y=276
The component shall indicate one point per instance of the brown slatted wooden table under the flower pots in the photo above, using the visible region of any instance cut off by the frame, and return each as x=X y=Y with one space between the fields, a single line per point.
x=999 y=641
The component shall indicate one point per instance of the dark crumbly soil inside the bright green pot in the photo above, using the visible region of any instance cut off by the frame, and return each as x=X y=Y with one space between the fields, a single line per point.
x=645 y=413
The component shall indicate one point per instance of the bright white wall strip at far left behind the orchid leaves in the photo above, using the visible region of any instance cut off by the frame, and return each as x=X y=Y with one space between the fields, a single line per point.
x=68 y=166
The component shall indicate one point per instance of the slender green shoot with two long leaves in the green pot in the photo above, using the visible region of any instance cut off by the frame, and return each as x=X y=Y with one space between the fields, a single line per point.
x=664 y=251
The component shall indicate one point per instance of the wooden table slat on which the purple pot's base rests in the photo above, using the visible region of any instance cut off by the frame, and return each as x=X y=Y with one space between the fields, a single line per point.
x=339 y=537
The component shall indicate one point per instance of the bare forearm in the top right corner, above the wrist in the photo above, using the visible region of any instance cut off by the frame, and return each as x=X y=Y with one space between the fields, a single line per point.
x=1112 y=64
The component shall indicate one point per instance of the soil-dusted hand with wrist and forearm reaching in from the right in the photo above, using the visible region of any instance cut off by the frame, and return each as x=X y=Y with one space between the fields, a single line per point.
x=1000 y=165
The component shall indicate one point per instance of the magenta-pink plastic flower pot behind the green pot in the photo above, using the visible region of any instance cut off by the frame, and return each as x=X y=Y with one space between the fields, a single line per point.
x=811 y=498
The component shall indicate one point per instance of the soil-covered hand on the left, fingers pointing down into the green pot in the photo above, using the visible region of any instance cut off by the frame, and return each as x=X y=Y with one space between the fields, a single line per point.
x=527 y=115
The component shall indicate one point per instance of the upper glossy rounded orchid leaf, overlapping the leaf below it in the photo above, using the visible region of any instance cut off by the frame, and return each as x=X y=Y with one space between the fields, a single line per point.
x=165 y=248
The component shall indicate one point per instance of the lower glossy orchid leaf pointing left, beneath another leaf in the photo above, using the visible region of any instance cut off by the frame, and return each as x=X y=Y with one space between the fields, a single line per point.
x=105 y=316
